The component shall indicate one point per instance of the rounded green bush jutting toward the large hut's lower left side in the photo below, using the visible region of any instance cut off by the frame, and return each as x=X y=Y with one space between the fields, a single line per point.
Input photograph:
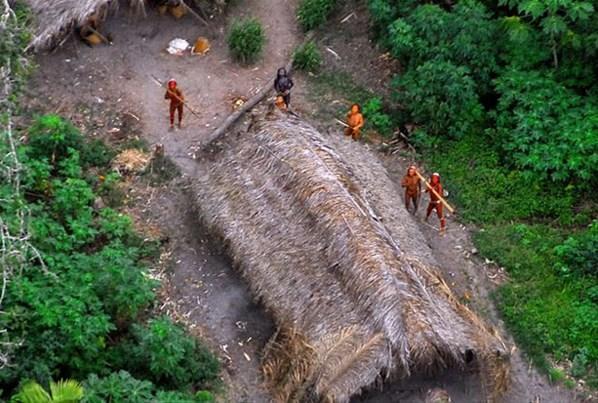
x=173 y=358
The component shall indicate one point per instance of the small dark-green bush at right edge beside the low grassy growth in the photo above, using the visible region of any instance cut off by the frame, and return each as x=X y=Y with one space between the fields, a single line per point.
x=578 y=255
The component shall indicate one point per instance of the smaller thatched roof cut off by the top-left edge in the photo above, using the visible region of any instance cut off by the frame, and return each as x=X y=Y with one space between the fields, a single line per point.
x=55 y=19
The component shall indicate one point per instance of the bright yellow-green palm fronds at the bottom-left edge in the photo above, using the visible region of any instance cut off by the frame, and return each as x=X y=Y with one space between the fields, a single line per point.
x=66 y=391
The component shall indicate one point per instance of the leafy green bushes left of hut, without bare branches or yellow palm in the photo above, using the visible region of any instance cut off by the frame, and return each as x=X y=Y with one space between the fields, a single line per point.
x=76 y=314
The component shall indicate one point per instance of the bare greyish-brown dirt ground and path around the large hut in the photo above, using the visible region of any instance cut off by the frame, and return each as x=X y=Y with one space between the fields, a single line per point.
x=108 y=92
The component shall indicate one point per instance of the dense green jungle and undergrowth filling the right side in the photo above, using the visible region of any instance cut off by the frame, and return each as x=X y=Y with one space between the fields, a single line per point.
x=505 y=98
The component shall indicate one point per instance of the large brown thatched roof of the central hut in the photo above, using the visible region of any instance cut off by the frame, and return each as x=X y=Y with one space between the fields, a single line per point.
x=319 y=232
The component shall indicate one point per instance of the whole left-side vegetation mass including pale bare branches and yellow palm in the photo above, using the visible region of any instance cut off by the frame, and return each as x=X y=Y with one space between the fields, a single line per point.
x=77 y=294
